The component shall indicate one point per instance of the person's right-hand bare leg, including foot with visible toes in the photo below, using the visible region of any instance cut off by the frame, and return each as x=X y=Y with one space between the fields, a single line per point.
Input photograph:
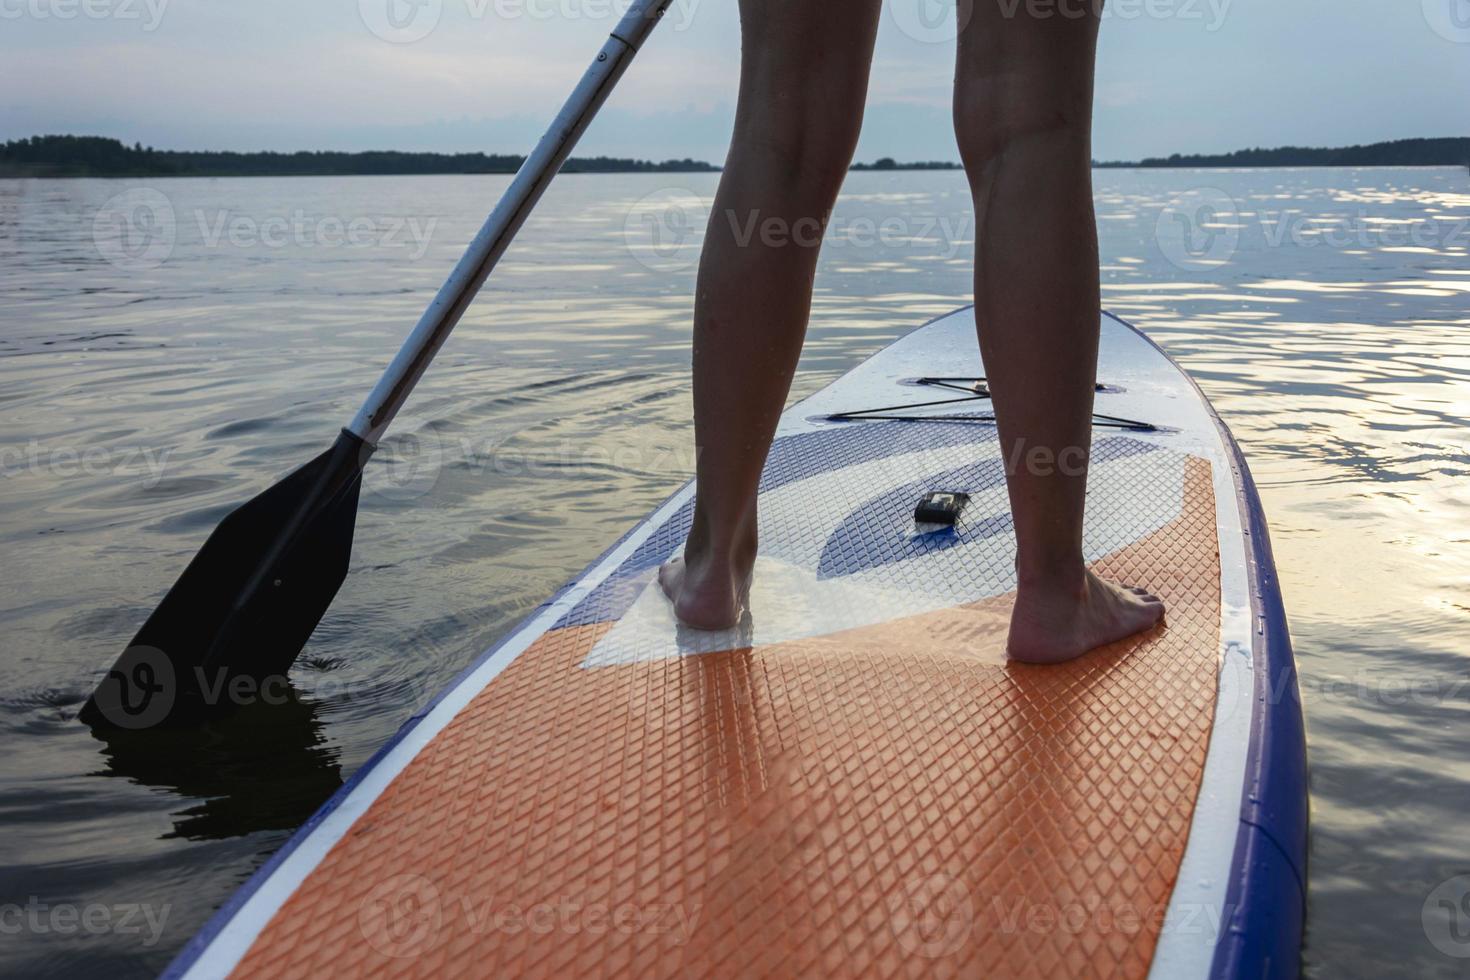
x=1024 y=115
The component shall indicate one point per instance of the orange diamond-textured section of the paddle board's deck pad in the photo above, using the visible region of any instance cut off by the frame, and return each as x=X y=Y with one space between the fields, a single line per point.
x=887 y=801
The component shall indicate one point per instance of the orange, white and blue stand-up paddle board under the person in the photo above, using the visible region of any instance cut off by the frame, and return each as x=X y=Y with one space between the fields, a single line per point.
x=853 y=781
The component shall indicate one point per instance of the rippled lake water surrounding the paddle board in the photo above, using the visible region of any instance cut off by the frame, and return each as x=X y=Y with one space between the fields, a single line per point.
x=171 y=347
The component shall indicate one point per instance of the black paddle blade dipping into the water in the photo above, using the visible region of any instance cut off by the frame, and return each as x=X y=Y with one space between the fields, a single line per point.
x=236 y=621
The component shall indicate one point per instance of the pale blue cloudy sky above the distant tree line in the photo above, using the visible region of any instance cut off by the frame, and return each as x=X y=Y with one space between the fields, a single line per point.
x=455 y=76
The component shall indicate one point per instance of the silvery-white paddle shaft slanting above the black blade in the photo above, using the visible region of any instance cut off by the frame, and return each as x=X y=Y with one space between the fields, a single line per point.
x=503 y=224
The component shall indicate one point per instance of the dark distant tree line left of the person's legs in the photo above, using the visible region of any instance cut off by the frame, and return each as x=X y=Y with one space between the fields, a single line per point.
x=99 y=156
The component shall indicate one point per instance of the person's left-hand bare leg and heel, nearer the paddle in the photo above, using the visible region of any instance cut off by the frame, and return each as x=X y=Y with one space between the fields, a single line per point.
x=803 y=83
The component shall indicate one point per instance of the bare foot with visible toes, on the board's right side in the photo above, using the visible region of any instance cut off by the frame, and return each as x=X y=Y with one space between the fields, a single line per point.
x=1055 y=625
